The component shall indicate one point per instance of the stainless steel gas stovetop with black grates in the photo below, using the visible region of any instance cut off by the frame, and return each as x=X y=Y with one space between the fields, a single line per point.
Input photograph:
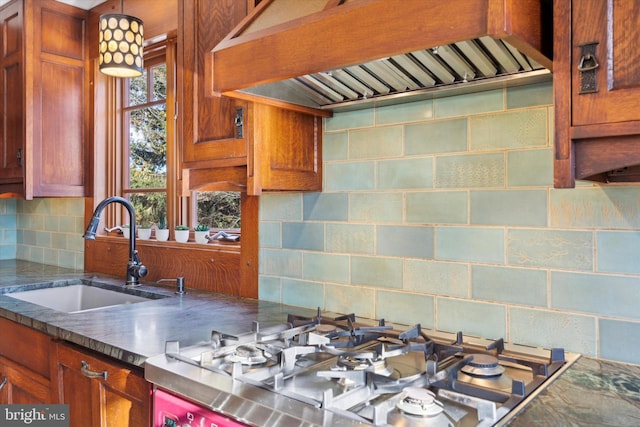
x=336 y=371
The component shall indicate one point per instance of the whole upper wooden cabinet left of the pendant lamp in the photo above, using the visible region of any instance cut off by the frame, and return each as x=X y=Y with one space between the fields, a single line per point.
x=44 y=99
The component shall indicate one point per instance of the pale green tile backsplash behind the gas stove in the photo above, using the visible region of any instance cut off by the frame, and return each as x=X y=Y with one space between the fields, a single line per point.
x=443 y=212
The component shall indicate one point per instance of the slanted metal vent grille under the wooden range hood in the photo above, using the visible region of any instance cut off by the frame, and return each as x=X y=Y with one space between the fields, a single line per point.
x=472 y=63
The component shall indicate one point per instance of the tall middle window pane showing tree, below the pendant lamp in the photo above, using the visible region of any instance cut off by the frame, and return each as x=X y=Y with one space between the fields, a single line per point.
x=148 y=148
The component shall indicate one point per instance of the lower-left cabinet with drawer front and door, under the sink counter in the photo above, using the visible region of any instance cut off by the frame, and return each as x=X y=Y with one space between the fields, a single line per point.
x=25 y=369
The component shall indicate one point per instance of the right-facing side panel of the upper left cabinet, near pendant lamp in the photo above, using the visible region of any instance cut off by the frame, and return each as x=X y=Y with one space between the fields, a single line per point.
x=59 y=117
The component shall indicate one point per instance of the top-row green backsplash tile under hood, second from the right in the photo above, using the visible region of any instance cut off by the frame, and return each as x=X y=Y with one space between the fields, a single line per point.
x=475 y=103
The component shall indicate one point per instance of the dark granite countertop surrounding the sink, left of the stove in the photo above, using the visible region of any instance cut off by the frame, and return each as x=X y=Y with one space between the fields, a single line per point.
x=133 y=332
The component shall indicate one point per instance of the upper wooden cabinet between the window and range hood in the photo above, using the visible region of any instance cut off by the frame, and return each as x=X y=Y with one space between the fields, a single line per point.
x=230 y=144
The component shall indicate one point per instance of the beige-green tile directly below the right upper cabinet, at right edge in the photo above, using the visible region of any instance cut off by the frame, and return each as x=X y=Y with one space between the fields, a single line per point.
x=595 y=207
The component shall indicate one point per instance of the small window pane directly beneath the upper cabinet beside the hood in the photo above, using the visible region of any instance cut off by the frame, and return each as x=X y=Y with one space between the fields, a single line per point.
x=219 y=209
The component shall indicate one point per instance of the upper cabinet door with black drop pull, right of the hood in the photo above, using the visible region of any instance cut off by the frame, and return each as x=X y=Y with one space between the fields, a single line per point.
x=612 y=27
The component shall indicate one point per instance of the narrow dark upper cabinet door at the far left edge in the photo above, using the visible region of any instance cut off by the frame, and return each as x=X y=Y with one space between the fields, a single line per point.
x=12 y=93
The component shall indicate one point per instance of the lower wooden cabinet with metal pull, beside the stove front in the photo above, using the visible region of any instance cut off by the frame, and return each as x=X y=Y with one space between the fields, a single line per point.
x=101 y=392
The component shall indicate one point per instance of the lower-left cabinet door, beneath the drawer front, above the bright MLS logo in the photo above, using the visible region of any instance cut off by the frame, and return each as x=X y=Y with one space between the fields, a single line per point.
x=21 y=386
